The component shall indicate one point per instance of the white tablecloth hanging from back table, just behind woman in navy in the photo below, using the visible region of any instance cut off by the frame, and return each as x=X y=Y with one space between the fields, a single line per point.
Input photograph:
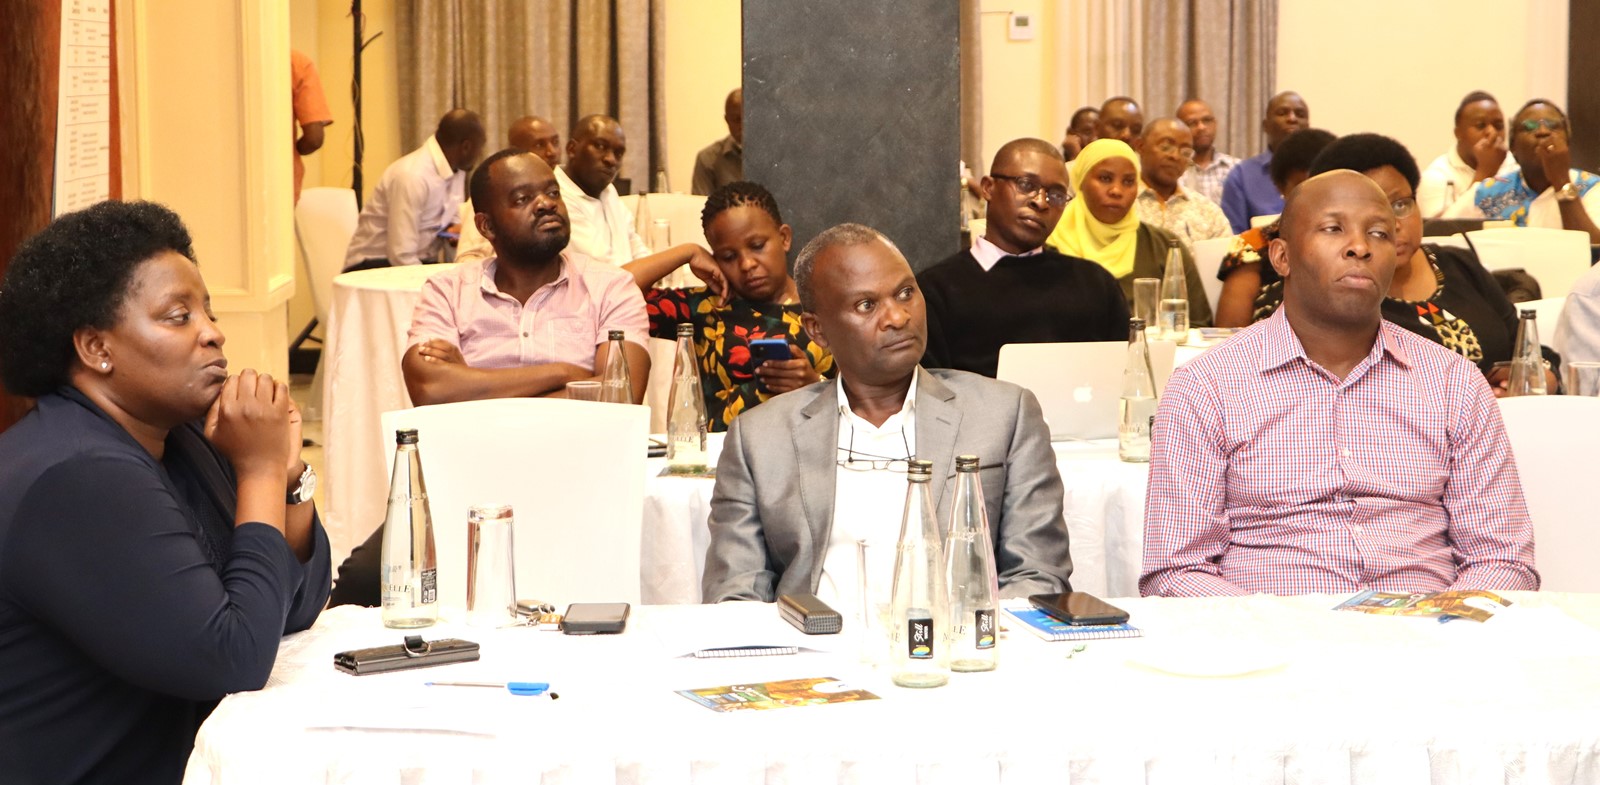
x=367 y=329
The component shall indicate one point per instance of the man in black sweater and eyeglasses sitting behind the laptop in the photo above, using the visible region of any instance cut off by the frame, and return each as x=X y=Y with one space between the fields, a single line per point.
x=1046 y=297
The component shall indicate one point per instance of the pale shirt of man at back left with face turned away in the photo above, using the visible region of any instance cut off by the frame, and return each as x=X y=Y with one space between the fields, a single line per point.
x=418 y=196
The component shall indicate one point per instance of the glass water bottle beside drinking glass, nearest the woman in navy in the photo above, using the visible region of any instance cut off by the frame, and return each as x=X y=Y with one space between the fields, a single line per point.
x=410 y=565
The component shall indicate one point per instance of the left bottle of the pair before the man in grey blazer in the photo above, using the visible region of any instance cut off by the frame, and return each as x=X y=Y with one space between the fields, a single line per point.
x=919 y=655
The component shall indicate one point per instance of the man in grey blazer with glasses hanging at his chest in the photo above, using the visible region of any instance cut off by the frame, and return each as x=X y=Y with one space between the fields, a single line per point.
x=810 y=472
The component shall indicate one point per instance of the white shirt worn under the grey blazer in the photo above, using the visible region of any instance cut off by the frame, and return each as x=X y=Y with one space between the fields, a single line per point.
x=868 y=506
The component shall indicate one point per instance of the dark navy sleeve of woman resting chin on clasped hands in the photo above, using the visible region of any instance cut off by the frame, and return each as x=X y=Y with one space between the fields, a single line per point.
x=121 y=575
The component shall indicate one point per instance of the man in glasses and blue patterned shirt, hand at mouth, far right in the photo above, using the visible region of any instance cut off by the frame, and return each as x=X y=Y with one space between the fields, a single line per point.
x=1545 y=191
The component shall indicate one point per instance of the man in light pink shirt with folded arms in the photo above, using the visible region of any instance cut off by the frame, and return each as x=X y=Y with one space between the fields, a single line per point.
x=529 y=319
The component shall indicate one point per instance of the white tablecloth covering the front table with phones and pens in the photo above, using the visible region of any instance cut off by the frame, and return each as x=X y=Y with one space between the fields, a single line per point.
x=1340 y=698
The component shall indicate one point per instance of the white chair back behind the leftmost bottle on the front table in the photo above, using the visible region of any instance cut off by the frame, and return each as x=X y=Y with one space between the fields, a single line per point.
x=574 y=474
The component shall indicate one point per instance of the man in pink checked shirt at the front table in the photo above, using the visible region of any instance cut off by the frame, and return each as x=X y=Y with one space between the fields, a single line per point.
x=1326 y=450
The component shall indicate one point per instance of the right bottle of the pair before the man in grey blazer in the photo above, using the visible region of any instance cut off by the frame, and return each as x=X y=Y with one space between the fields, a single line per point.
x=974 y=583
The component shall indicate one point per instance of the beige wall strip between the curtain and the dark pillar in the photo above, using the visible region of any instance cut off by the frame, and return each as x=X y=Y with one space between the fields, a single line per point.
x=705 y=49
